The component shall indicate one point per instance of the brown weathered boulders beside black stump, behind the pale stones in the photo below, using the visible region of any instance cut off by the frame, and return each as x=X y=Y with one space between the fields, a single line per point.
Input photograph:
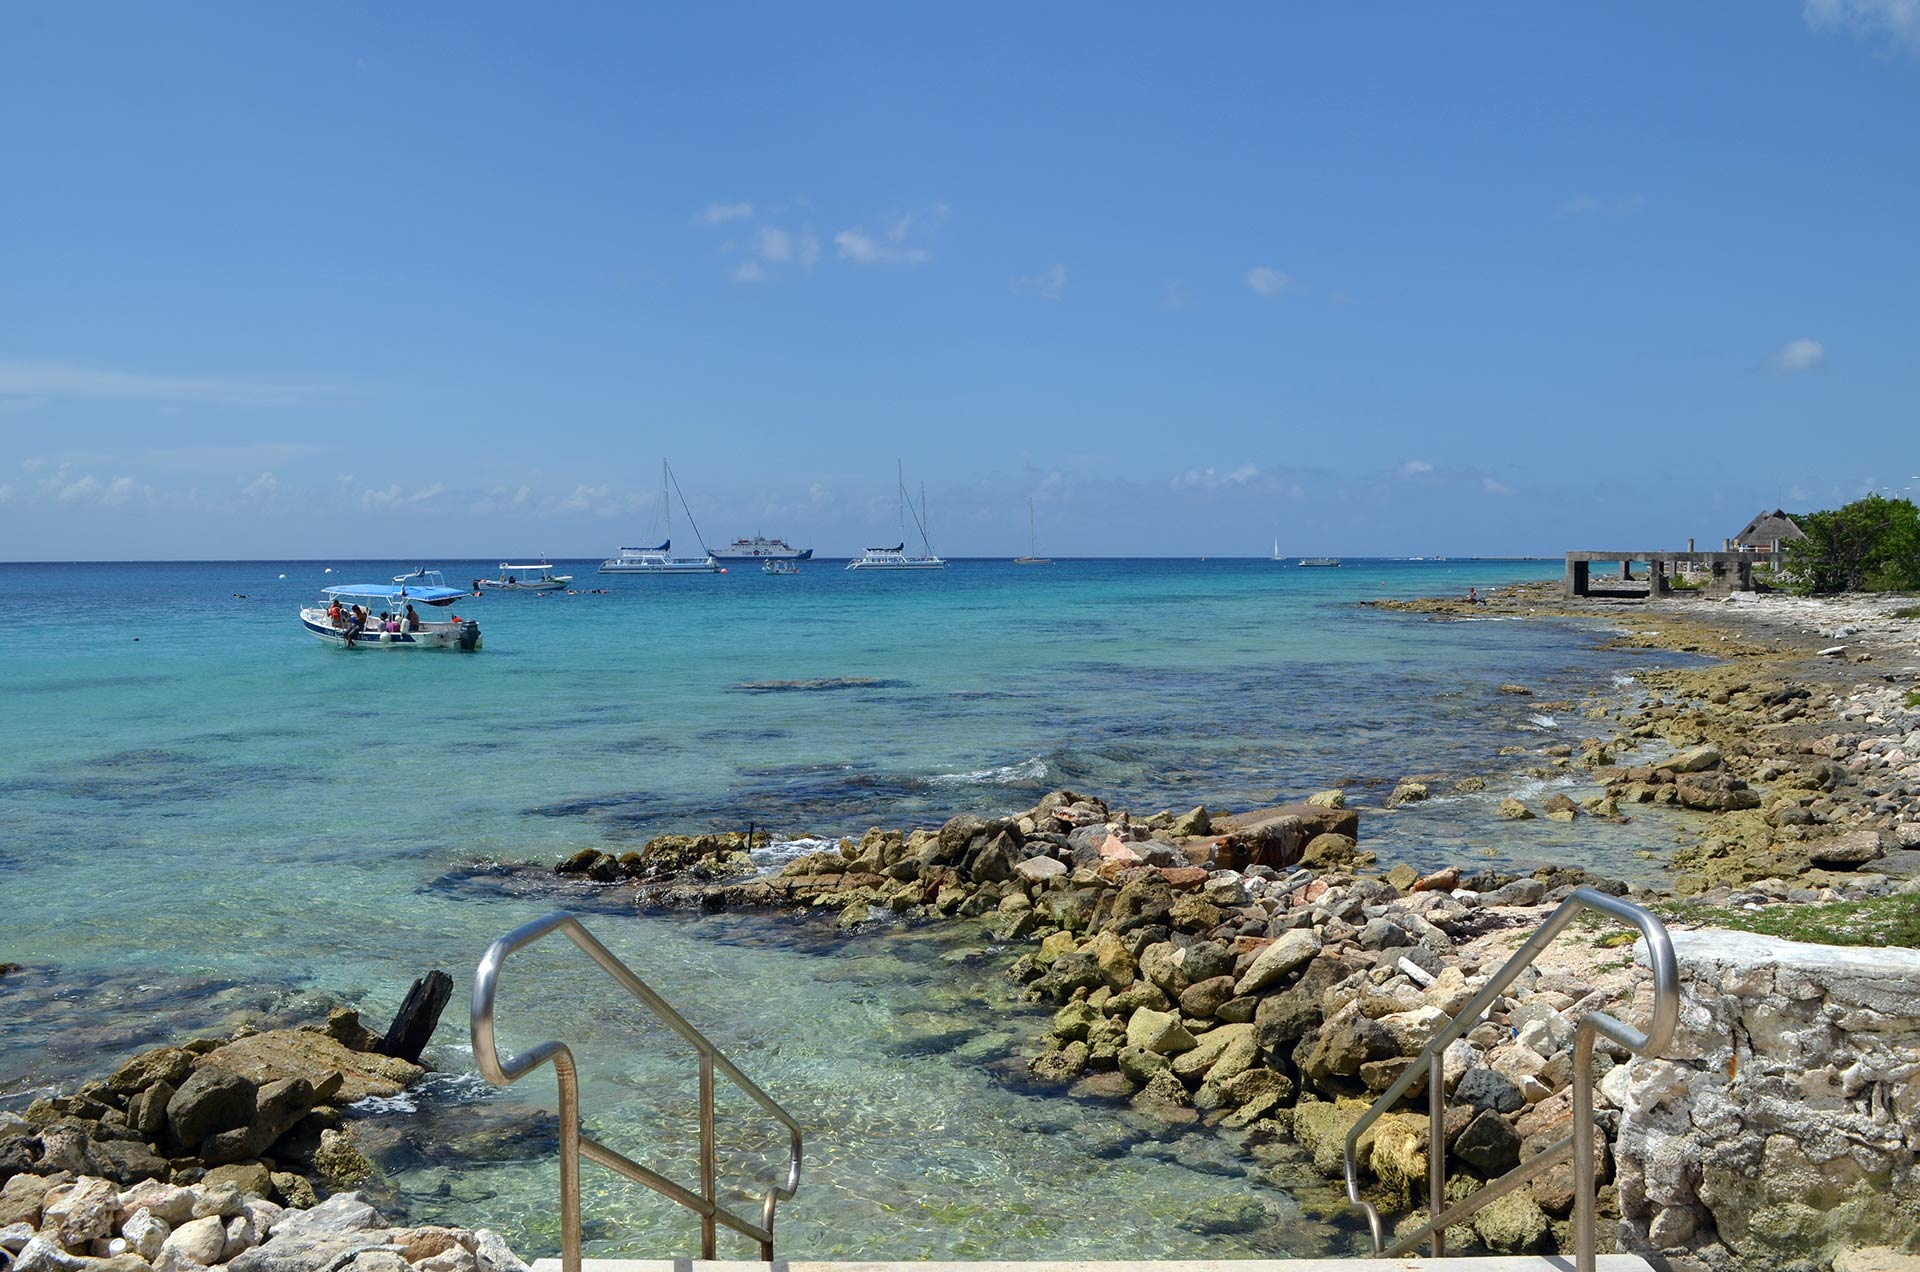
x=260 y=1112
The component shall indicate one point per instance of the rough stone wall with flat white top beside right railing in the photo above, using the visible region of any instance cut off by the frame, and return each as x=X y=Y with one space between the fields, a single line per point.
x=1785 y=1125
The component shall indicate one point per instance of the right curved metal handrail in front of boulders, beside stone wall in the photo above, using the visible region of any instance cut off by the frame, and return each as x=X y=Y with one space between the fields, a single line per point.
x=1581 y=1142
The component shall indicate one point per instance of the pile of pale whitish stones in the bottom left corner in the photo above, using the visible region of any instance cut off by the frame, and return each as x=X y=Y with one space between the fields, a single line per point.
x=89 y=1225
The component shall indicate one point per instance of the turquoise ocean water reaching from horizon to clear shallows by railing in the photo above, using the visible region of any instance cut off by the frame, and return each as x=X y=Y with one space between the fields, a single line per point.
x=206 y=818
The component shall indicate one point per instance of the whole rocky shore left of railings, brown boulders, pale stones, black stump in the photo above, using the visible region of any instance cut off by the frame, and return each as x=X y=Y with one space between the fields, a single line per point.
x=218 y=1154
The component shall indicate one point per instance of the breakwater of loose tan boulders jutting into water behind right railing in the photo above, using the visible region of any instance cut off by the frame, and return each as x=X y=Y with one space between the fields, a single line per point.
x=1247 y=975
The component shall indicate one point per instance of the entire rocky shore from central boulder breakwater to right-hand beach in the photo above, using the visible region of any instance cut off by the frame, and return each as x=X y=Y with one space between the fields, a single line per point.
x=1262 y=977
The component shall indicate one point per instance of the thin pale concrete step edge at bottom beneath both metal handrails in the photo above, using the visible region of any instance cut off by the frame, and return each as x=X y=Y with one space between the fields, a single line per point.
x=1524 y=1263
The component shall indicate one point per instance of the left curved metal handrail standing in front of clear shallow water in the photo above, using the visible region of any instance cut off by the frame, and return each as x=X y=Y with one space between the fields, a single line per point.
x=575 y=1146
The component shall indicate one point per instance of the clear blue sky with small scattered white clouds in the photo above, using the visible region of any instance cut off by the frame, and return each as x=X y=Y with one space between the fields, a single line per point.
x=406 y=281
